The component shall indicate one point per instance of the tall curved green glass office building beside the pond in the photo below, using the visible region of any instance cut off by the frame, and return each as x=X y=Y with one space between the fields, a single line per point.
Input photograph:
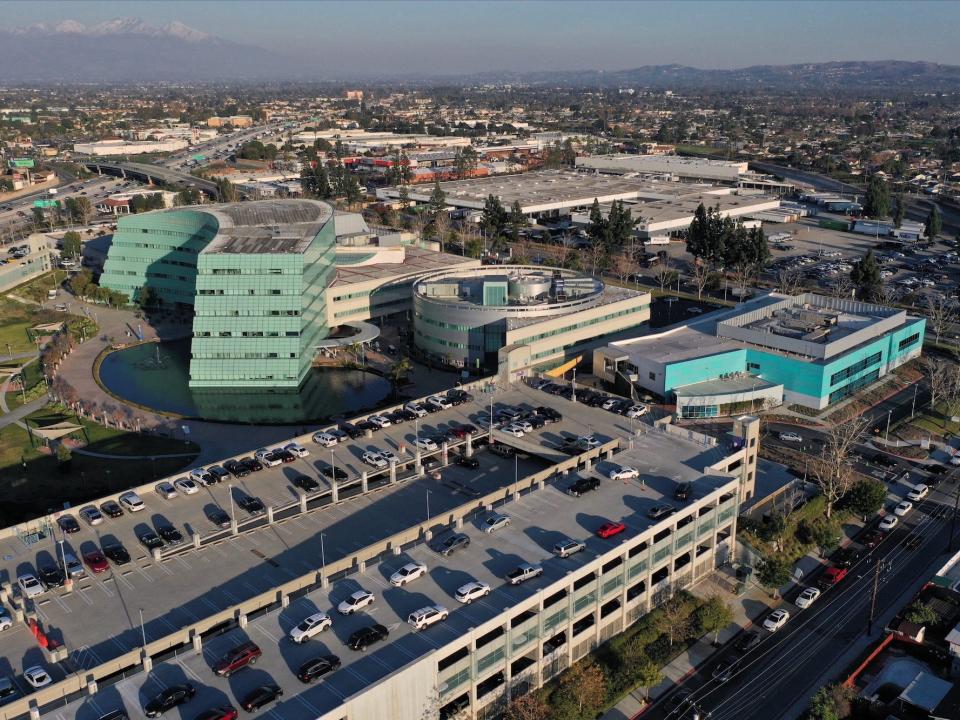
x=255 y=275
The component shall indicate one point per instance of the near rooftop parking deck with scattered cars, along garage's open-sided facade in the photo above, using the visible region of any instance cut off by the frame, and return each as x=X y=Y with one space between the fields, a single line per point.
x=538 y=521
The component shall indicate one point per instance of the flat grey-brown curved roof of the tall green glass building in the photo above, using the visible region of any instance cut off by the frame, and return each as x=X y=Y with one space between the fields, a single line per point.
x=267 y=226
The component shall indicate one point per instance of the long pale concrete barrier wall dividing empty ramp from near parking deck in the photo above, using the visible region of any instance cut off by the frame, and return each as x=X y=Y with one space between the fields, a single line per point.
x=191 y=637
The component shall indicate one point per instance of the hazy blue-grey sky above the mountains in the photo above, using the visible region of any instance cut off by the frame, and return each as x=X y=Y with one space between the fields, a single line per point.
x=446 y=36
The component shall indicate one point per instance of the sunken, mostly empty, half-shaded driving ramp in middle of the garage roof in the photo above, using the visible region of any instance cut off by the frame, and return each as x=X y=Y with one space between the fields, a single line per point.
x=100 y=619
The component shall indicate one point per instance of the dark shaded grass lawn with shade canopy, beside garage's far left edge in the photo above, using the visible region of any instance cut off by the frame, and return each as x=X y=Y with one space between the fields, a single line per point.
x=32 y=482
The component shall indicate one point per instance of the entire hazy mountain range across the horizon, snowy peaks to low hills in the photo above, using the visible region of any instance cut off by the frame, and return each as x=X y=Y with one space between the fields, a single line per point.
x=131 y=50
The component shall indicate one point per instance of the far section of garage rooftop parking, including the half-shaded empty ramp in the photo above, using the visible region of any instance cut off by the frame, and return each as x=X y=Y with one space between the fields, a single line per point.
x=100 y=618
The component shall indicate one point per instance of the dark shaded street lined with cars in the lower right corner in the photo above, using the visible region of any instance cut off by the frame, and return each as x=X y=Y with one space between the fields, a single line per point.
x=775 y=679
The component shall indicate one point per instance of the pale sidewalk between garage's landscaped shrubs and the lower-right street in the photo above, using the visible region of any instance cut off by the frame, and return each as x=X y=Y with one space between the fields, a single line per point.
x=753 y=605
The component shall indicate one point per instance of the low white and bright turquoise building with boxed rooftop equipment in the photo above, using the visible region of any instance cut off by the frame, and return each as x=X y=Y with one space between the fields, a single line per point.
x=804 y=349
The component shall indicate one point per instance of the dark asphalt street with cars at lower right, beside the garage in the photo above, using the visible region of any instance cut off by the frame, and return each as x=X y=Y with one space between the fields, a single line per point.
x=779 y=672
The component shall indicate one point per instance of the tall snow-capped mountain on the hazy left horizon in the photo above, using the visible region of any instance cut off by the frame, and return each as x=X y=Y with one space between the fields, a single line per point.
x=131 y=50
